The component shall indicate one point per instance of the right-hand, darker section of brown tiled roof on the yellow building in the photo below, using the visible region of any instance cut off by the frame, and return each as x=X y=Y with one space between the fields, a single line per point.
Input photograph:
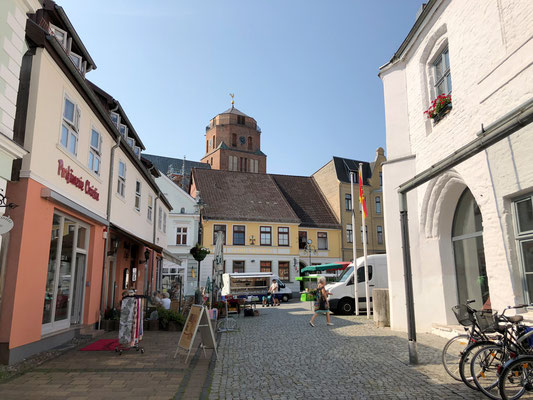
x=305 y=198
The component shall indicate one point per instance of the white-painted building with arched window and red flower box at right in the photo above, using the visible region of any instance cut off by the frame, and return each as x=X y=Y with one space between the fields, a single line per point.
x=471 y=226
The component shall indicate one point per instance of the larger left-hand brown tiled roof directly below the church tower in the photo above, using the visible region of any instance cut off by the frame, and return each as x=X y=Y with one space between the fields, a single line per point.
x=241 y=196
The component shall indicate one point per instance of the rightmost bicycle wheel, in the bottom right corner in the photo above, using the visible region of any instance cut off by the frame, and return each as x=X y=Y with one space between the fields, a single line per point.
x=516 y=379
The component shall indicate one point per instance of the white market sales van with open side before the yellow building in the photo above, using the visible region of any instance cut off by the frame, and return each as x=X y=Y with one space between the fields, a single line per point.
x=242 y=285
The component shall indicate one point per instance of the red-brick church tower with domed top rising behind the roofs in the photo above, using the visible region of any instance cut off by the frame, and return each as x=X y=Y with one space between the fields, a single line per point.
x=233 y=143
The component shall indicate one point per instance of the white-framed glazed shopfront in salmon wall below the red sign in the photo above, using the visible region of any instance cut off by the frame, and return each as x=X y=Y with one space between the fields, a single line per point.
x=68 y=248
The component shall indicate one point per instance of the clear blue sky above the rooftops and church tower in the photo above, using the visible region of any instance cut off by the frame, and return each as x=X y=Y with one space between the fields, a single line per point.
x=306 y=70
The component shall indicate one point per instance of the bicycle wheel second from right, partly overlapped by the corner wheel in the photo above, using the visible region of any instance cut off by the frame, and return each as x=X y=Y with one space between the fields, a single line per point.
x=485 y=368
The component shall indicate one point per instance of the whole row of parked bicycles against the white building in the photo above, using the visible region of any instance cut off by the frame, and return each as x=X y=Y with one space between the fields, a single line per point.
x=495 y=355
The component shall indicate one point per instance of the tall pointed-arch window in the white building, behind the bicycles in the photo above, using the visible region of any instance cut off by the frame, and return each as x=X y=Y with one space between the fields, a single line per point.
x=467 y=239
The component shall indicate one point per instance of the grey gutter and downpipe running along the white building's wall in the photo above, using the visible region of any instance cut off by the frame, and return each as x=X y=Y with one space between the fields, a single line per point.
x=495 y=132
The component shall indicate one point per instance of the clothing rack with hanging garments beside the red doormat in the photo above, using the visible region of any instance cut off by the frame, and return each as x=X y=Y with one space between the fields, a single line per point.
x=130 y=332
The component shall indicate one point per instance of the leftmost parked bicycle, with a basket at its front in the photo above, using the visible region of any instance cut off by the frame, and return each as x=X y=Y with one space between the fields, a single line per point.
x=454 y=349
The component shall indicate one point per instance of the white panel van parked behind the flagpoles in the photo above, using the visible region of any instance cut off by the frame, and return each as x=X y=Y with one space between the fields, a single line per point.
x=341 y=299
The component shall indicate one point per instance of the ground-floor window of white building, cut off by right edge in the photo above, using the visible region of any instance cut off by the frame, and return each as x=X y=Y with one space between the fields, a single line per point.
x=523 y=211
